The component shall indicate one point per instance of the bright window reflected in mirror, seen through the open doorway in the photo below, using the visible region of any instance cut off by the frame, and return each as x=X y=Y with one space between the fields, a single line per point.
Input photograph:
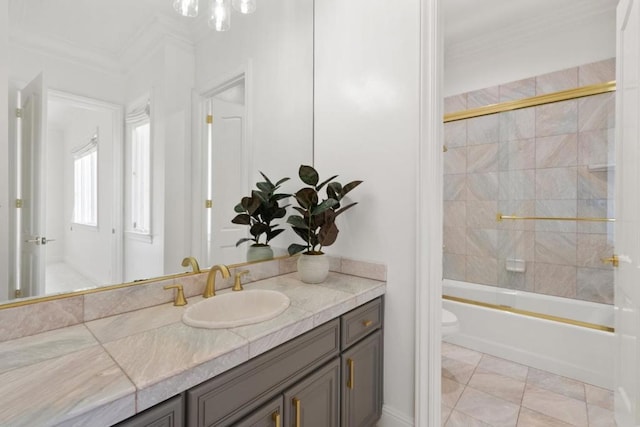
x=85 y=184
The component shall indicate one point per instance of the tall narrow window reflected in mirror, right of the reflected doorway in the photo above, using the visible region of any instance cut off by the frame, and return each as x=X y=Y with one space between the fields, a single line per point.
x=141 y=177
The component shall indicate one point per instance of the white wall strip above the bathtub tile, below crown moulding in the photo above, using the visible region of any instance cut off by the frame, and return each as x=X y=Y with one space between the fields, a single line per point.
x=476 y=66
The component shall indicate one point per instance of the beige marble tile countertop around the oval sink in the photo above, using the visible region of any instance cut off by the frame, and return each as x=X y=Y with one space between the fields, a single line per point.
x=103 y=371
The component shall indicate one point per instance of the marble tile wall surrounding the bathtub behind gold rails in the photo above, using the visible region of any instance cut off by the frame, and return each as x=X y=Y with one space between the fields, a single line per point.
x=550 y=160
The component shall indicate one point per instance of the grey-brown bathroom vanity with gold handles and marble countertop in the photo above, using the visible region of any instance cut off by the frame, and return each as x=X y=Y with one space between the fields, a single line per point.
x=319 y=363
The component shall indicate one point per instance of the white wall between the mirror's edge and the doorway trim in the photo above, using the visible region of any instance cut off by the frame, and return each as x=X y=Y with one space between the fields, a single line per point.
x=367 y=127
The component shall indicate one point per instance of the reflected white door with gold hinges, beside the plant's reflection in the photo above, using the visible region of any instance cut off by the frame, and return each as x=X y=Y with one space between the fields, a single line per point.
x=227 y=171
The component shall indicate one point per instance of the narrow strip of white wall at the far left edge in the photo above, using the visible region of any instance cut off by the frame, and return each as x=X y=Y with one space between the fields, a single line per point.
x=4 y=157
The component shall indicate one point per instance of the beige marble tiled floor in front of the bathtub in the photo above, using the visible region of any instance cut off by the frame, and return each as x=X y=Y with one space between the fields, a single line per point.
x=479 y=390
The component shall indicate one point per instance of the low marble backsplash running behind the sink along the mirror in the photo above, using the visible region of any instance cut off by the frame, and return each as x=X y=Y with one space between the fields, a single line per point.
x=31 y=319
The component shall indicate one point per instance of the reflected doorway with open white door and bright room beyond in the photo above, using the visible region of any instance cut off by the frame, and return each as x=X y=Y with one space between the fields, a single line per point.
x=65 y=186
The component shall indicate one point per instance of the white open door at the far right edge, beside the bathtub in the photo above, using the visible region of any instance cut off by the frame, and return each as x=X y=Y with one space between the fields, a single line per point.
x=627 y=226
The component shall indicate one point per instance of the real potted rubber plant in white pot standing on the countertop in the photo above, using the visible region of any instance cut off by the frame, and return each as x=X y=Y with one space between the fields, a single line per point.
x=315 y=222
